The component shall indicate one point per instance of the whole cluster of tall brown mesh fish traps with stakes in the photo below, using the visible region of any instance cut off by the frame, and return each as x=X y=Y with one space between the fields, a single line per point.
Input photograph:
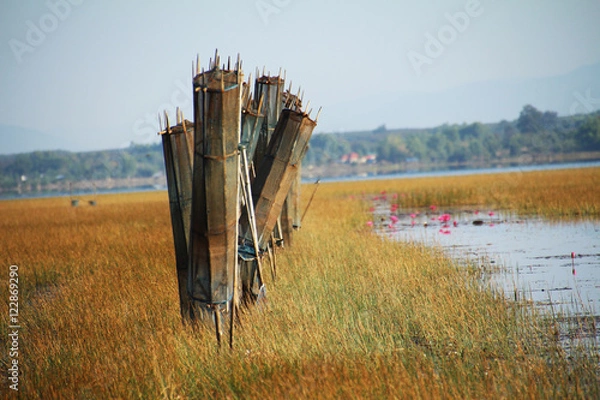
x=233 y=177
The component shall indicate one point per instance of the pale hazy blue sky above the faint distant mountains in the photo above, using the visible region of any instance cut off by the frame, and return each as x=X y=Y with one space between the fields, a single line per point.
x=95 y=73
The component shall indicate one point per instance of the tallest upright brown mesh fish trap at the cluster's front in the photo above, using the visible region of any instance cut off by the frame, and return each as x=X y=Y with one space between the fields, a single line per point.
x=215 y=191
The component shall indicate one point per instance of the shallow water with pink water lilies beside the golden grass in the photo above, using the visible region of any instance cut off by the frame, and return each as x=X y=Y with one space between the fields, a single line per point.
x=555 y=265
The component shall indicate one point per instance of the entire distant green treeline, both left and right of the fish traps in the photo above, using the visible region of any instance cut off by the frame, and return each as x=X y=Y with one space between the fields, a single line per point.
x=534 y=133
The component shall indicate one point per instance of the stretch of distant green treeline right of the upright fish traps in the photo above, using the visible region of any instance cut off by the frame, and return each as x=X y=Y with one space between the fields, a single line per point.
x=533 y=133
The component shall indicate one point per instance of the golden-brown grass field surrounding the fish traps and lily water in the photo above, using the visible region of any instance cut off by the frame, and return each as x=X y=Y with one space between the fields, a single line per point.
x=351 y=315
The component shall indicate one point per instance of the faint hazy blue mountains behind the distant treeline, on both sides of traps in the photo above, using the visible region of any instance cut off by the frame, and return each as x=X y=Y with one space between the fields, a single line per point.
x=574 y=93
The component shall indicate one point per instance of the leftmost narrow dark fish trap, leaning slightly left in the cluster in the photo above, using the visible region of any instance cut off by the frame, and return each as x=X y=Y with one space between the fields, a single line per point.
x=179 y=184
